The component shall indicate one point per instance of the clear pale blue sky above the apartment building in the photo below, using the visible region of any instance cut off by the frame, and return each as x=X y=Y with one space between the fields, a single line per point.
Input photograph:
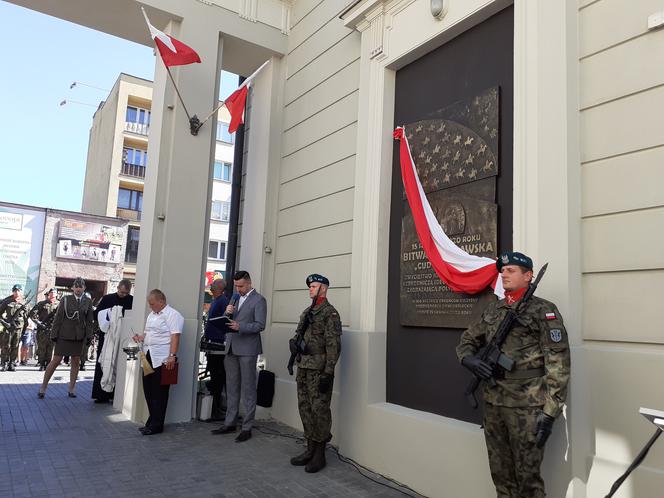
x=35 y=78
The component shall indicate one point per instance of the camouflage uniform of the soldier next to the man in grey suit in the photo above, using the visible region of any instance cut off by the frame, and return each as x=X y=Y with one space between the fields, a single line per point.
x=323 y=345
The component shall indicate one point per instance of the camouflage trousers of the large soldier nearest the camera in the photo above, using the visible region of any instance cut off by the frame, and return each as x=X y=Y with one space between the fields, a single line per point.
x=514 y=459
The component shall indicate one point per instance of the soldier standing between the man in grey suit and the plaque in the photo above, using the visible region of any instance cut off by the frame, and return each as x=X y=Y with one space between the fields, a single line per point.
x=318 y=336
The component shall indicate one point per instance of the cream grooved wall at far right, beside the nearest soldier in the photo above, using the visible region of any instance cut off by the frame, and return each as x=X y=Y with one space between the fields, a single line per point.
x=622 y=148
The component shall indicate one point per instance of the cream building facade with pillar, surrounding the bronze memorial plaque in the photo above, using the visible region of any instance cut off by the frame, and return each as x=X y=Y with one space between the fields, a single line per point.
x=320 y=183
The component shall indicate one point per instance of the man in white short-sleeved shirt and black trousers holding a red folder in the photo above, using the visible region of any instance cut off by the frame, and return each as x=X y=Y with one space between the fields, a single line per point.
x=161 y=338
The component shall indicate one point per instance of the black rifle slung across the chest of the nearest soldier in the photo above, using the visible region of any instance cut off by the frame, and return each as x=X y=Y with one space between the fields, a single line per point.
x=491 y=354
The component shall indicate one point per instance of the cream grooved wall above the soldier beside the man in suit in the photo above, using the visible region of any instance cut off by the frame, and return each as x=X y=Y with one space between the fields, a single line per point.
x=315 y=198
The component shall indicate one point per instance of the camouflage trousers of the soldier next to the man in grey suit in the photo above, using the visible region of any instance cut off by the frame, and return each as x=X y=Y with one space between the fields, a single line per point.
x=314 y=406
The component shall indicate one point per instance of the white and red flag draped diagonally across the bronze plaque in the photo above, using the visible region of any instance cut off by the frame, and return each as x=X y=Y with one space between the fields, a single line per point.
x=461 y=272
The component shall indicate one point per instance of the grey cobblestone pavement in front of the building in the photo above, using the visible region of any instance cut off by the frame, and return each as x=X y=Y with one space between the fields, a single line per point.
x=61 y=446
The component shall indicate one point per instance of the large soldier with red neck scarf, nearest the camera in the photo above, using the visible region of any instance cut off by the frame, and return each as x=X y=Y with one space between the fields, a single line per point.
x=521 y=407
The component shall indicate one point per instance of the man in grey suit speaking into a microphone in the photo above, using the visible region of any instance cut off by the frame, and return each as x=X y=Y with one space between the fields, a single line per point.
x=248 y=312
